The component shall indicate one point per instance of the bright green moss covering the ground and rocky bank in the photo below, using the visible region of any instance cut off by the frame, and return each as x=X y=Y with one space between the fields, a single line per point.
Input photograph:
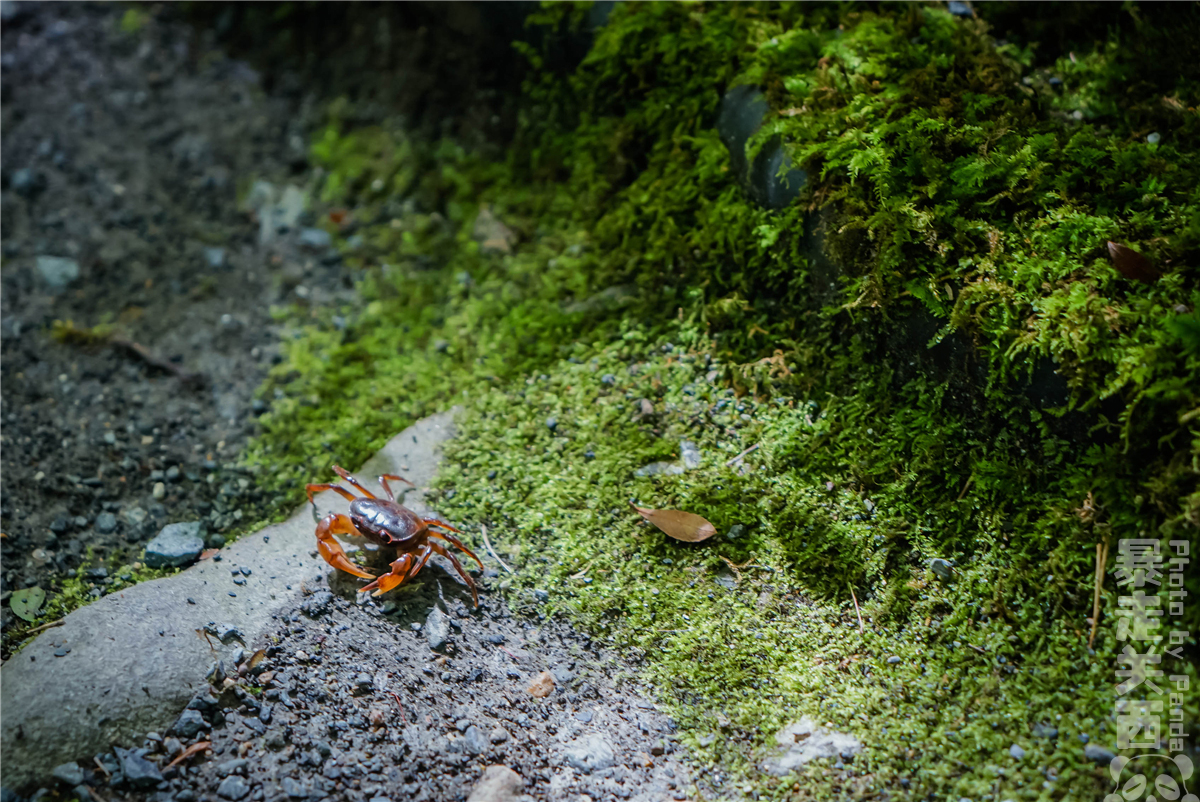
x=963 y=181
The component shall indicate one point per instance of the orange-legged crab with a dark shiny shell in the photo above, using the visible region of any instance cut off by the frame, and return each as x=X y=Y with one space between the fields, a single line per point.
x=389 y=524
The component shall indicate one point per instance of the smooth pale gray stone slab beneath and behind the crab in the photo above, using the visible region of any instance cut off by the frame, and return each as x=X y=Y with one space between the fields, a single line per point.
x=137 y=656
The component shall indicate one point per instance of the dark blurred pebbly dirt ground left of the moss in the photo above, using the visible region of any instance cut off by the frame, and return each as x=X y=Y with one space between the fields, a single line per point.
x=122 y=159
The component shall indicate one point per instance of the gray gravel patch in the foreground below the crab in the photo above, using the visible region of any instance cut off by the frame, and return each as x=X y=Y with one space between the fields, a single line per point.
x=352 y=704
